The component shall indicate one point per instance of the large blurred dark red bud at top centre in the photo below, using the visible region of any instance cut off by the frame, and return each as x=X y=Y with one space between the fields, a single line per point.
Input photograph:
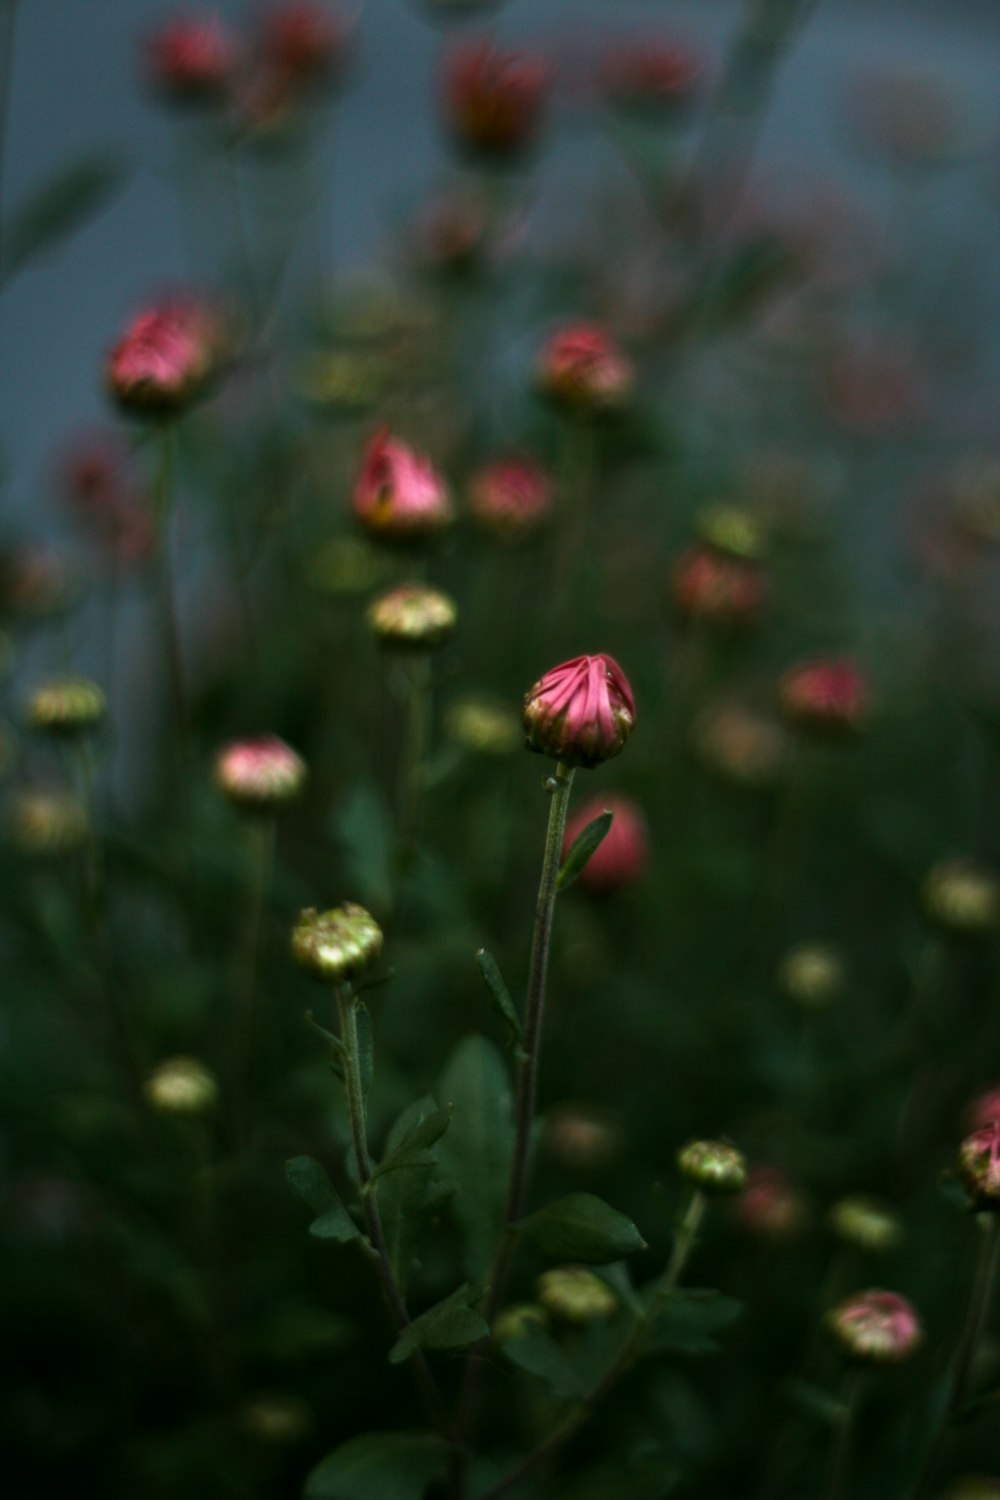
x=493 y=100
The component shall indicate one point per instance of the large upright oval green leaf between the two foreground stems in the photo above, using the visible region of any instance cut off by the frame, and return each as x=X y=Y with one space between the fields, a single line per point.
x=478 y=1150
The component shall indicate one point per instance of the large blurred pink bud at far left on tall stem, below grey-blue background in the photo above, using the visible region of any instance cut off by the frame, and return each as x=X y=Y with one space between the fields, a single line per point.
x=167 y=358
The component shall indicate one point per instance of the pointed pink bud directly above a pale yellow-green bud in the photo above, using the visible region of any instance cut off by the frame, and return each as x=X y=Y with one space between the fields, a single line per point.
x=400 y=496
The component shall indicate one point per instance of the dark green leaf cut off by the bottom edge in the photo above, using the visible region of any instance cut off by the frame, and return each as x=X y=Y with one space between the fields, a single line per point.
x=380 y=1466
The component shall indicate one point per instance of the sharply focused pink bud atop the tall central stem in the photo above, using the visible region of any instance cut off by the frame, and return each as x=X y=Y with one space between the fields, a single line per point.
x=581 y=713
